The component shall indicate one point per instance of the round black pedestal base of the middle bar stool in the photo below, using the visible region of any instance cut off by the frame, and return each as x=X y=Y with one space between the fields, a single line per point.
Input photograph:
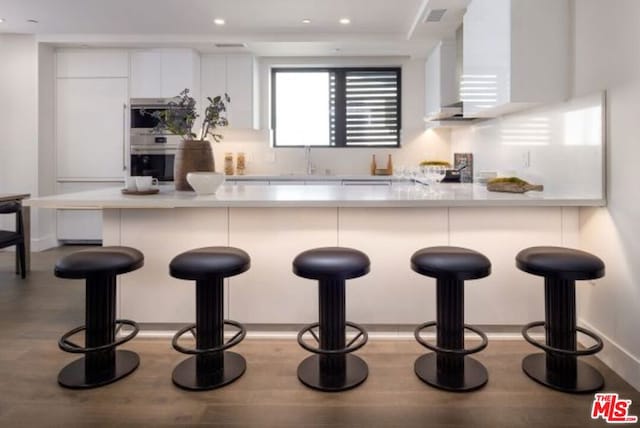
x=356 y=372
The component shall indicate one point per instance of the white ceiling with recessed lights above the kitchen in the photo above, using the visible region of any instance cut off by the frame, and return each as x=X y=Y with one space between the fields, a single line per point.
x=268 y=27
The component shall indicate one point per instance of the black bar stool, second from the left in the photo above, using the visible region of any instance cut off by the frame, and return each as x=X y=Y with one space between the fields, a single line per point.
x=210 y=366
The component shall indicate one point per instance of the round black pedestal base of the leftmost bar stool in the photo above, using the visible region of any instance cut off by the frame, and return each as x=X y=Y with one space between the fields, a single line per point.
x=73 y=375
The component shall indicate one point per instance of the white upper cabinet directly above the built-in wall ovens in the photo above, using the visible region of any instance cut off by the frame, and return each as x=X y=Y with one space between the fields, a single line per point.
x=164 y=73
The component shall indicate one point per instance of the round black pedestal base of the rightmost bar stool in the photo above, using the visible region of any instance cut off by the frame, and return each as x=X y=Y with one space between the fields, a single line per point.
x=586 y=379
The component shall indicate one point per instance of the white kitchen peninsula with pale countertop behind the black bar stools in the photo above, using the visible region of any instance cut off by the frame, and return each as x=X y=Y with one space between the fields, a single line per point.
x=273 y=223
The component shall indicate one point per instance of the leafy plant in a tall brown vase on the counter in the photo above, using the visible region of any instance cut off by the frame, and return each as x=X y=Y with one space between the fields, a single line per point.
x=194 y=151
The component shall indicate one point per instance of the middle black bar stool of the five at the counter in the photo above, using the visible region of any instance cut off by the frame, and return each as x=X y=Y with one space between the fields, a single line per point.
x=333 y=368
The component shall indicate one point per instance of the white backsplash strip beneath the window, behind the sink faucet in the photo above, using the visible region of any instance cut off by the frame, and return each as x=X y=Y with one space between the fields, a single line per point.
x=261 y=158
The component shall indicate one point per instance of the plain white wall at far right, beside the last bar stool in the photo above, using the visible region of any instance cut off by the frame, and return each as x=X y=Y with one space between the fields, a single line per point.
x=607 y=57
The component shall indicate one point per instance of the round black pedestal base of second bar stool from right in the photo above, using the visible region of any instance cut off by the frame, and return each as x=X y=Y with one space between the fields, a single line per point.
x=475 y=374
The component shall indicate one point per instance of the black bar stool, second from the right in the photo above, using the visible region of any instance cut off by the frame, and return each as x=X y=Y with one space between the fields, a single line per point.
x=449 y=367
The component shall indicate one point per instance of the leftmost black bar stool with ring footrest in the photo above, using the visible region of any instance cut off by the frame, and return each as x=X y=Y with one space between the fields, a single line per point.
x=102 y=364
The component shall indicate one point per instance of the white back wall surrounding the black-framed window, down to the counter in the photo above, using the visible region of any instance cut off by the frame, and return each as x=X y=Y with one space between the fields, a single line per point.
x=417 y=144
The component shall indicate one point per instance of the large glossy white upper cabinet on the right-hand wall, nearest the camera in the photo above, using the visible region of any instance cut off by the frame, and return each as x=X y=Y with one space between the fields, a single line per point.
x=516 y=54
